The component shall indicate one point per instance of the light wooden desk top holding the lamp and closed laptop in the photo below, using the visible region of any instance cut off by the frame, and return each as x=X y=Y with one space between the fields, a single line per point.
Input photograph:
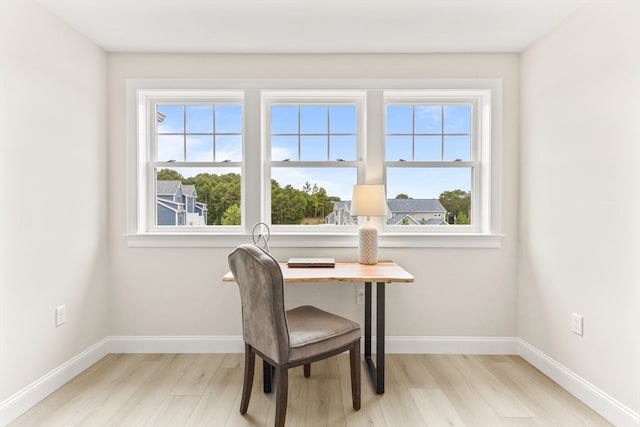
x=383 y=271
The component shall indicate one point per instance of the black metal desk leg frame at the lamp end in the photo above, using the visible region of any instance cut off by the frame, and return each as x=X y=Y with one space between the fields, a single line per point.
x=376 y=371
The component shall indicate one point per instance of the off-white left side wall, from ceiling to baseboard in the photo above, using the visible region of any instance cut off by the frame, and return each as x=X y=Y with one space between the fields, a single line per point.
x=53 y=247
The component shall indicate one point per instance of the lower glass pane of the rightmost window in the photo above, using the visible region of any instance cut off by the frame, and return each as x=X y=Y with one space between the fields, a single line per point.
x=432 y=189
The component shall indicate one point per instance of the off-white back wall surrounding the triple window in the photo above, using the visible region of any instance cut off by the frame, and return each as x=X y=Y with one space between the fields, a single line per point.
x=458 y=292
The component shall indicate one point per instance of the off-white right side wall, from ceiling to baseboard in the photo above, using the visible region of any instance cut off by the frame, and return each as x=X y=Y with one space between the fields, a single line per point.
x=579 y=163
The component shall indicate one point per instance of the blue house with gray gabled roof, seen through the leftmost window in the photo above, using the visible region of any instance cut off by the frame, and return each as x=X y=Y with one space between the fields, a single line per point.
x=176 y=204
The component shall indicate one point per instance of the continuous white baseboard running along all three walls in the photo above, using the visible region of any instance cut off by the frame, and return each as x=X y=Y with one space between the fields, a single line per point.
x=599 y=401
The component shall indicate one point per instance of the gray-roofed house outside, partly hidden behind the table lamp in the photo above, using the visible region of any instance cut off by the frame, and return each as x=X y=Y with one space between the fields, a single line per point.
x=399 y=212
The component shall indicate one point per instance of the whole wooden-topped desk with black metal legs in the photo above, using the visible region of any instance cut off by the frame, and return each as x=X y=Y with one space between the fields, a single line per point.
x=383 y=272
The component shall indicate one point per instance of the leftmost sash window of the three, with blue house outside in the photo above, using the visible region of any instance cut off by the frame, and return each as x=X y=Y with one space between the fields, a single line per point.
x=195 y=160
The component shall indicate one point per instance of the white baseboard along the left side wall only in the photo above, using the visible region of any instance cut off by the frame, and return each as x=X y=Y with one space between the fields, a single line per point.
x=20 y=402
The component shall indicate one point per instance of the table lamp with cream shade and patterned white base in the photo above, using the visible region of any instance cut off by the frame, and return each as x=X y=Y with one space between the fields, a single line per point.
x=368 y=200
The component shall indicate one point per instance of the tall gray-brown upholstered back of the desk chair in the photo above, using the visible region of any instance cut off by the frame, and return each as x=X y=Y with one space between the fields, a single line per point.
x=264 y=322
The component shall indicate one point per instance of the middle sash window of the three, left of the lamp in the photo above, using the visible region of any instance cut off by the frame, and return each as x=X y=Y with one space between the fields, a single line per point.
x=314 y=141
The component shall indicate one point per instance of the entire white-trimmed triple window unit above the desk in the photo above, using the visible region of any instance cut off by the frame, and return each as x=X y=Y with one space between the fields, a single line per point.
x=209 y=163
